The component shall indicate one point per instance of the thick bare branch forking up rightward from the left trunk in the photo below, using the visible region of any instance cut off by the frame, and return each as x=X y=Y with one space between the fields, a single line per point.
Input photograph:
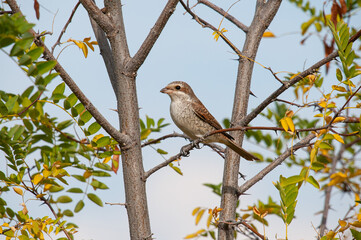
x=152 y=37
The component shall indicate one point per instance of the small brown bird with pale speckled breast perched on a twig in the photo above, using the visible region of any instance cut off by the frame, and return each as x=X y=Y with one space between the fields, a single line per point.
x=193 y=118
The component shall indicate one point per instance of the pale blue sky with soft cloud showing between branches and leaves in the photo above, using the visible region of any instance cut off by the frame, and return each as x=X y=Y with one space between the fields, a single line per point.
x=185 y=52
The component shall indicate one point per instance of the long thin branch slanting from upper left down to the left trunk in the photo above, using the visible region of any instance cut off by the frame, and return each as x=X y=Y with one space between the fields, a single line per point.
x=122 y=139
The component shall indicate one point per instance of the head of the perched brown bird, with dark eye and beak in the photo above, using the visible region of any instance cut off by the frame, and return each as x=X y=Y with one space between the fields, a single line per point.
x=178 y=91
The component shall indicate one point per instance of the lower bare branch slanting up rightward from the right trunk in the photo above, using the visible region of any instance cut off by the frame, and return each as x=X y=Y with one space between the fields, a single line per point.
x=247 y=185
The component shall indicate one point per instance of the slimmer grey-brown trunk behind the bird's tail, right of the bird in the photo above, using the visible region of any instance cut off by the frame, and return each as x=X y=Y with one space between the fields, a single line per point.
x=265 y=12
